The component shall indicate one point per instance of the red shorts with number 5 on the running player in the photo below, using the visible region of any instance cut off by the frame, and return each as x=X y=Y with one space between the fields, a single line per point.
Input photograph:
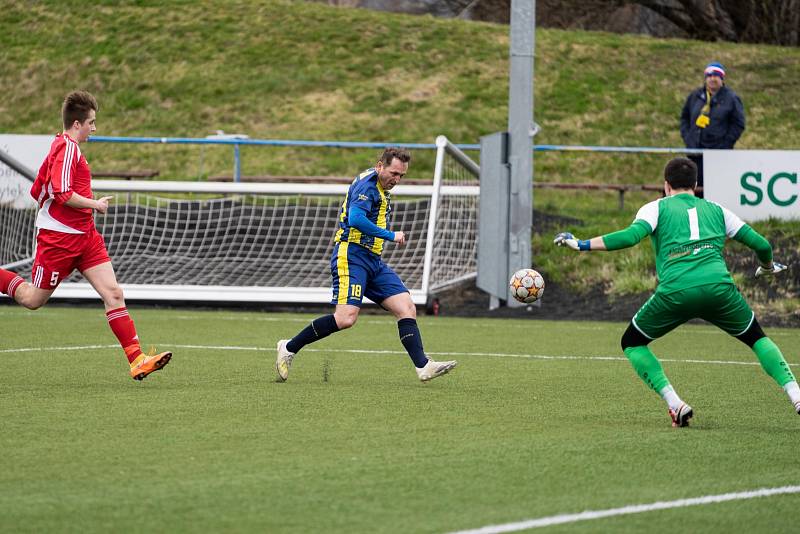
x=58 y=254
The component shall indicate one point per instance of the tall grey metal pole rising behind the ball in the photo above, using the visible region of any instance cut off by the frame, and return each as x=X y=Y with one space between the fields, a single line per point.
x=521 y=129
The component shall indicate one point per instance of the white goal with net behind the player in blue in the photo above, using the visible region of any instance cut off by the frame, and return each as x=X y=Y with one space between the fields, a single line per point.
x=269 y=242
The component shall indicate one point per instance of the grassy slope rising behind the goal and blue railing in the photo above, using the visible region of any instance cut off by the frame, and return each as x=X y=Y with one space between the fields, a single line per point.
x=275 y=69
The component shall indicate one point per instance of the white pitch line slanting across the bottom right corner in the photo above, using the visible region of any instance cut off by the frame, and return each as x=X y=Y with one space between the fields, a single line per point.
x=632 y=509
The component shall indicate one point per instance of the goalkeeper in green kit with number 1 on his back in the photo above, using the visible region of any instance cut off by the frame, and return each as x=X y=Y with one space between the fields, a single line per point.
x=688 y=235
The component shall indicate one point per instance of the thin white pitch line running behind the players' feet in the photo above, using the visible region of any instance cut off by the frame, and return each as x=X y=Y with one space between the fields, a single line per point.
x=380 y=352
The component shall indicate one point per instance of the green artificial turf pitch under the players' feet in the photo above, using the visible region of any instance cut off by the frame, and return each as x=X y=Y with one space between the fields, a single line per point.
x=540 y=418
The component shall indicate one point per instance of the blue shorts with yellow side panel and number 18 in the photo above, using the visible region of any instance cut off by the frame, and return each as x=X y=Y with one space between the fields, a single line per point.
x=359 y=273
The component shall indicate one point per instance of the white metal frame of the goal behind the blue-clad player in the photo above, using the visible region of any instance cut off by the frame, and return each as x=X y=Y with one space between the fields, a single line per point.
x=441 y=188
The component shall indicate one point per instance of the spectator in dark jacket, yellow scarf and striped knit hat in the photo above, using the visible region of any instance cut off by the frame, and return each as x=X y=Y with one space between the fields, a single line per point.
x=712 y=117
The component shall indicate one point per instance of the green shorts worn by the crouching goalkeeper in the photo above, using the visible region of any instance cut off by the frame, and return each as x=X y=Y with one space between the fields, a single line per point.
x=720 y=304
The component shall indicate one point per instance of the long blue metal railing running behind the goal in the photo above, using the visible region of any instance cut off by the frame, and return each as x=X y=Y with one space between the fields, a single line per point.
x=237 y=142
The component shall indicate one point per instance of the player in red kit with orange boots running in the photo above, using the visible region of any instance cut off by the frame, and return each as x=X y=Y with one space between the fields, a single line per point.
x=67 y=239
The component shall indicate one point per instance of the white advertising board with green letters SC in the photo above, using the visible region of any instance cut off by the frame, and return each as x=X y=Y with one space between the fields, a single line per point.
x=754 y=184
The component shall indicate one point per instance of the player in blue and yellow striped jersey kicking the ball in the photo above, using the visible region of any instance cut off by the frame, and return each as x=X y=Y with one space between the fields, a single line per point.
x=358 y=270
